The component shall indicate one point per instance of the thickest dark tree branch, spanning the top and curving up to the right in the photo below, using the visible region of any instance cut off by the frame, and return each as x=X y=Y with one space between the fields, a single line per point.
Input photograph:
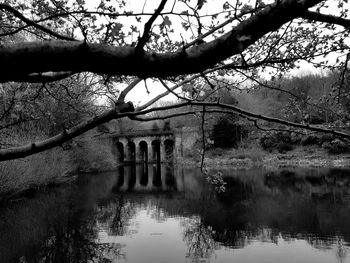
x=17 y=59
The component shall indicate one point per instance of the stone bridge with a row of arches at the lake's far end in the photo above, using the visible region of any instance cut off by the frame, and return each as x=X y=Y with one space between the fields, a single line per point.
x=152 y=146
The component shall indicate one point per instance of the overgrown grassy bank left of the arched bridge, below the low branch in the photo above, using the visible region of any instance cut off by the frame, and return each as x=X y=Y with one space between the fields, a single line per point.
x=85 y=154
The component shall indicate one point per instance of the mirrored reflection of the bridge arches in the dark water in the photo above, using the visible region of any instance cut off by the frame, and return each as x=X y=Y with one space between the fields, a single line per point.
x=148 y=178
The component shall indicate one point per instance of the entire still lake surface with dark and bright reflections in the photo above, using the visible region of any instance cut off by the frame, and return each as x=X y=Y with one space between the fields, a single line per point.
x=173 y=214
